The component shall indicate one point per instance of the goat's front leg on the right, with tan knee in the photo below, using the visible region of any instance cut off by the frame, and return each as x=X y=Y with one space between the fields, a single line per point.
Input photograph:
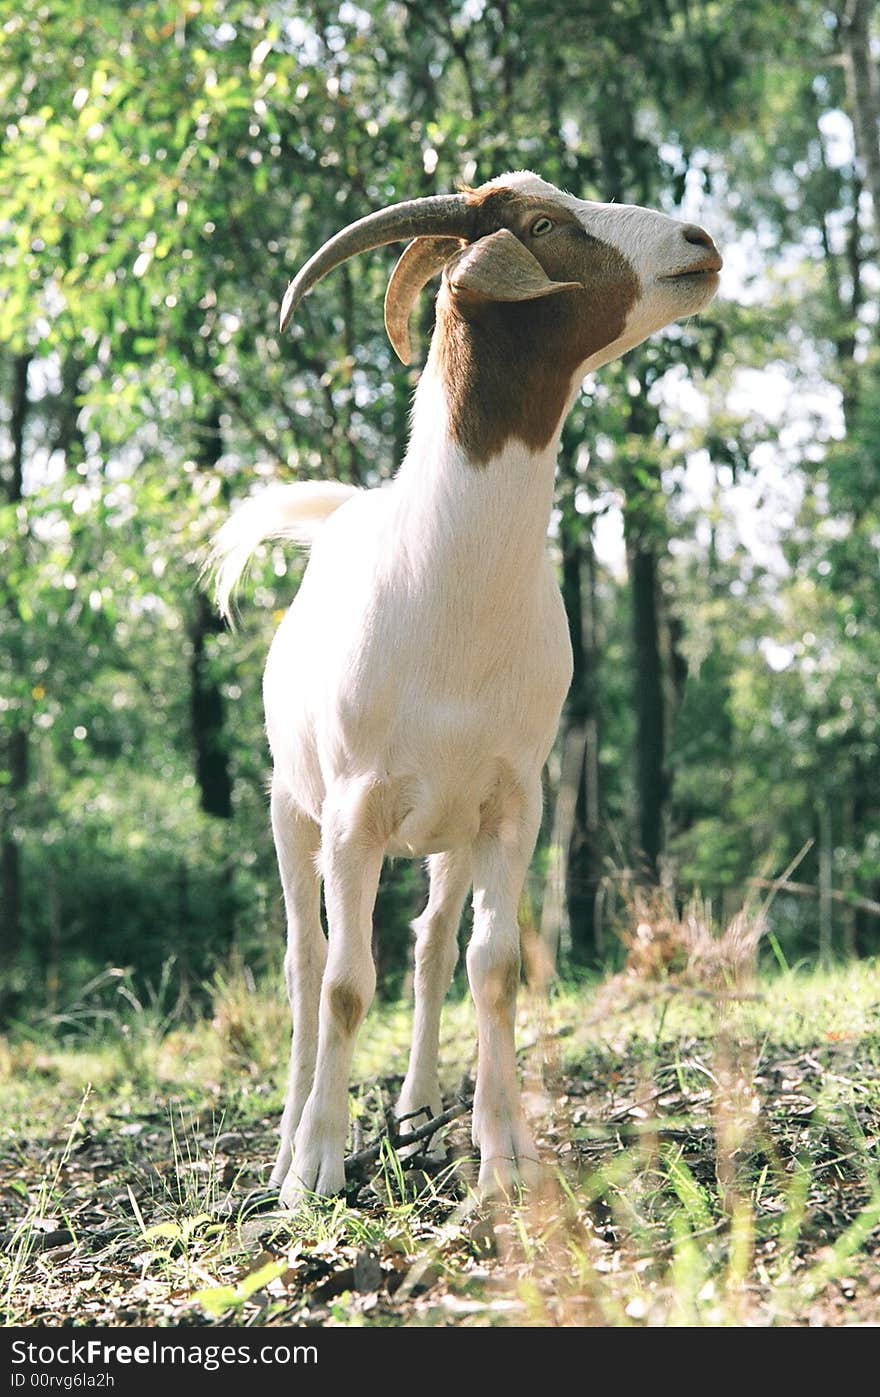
x=501 y=863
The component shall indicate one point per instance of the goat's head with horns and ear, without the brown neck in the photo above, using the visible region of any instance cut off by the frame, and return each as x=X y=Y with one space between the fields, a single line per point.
x=628 y=270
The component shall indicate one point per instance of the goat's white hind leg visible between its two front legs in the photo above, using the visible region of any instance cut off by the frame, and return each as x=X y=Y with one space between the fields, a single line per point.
x=437 y=953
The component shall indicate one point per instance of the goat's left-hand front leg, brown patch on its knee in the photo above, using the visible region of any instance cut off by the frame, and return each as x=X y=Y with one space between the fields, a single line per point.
x=351 y=867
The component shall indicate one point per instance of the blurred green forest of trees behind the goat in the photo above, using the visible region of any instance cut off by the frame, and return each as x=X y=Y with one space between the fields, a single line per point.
x=166 y=168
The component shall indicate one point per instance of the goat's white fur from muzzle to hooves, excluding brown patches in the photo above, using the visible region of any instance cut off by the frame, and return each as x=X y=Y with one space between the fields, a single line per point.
x=413 y=694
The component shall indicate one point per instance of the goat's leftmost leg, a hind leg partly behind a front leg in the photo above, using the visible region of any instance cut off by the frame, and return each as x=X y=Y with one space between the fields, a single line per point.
x=298 y=842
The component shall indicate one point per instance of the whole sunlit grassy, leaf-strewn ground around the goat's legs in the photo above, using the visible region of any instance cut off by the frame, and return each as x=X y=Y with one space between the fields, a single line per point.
x=710 y=1162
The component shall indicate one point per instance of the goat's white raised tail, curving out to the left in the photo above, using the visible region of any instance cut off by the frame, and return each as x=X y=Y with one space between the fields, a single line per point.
x=284 y=512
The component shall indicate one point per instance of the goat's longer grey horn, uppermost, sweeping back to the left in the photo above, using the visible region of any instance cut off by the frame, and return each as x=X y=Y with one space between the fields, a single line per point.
x=441 y=216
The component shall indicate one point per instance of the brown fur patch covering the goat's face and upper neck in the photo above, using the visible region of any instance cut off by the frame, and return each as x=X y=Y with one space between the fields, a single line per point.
x=509 y=367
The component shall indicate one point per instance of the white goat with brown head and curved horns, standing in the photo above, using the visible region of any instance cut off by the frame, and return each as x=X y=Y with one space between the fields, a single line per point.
x=413 y=691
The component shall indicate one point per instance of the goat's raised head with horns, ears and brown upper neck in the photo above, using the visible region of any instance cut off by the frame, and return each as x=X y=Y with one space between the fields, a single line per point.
x=534 y=281
